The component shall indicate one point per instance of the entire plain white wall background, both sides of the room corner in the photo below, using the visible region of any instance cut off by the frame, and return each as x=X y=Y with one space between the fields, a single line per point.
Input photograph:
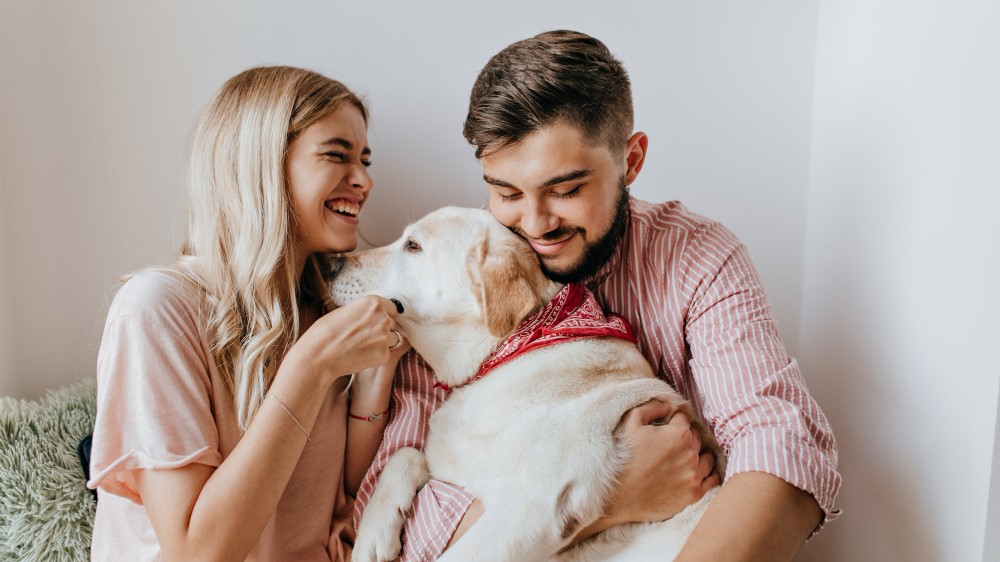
x=851 y=144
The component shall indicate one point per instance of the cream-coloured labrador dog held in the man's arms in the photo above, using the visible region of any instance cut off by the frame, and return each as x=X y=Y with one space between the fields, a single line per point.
x=537 y=439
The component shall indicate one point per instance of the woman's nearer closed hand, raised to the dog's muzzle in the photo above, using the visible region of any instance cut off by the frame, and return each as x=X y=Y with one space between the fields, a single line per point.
x=351 y=338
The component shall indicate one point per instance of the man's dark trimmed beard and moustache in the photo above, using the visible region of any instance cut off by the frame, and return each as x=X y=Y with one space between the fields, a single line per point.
x=596 y=253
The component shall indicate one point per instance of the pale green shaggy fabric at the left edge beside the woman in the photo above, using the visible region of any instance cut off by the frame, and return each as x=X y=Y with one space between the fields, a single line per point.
x=46 y=513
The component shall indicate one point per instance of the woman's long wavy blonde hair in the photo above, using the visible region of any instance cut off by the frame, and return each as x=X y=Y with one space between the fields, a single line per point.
x=241 y=227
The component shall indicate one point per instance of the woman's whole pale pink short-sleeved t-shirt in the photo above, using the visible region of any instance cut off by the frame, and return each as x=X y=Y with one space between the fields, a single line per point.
x=161 y=403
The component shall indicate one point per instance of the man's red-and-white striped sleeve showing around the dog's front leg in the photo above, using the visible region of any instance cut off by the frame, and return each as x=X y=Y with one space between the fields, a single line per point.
x=439 y=506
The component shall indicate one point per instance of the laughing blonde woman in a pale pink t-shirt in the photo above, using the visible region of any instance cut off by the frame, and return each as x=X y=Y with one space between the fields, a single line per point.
x=227 y=428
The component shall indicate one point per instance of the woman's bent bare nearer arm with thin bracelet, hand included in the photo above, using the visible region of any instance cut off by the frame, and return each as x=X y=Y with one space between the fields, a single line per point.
x=199 y=512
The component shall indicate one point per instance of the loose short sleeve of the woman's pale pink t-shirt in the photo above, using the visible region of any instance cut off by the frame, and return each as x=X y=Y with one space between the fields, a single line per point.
x=153 y=389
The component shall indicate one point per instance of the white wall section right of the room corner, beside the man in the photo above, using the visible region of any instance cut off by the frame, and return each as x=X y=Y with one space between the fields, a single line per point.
x=900 y=313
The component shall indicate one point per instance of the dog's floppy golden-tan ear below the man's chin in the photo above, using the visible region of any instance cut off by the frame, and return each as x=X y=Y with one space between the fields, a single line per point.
x=510 y=285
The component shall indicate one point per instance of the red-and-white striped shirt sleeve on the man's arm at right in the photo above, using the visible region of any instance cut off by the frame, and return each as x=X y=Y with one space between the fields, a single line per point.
x=755 y=397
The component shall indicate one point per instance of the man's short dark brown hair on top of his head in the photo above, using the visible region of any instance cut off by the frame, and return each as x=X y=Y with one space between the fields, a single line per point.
x=554 y=76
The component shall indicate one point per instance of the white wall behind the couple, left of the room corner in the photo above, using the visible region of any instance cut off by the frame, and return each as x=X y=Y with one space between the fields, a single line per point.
x=98 y=99
